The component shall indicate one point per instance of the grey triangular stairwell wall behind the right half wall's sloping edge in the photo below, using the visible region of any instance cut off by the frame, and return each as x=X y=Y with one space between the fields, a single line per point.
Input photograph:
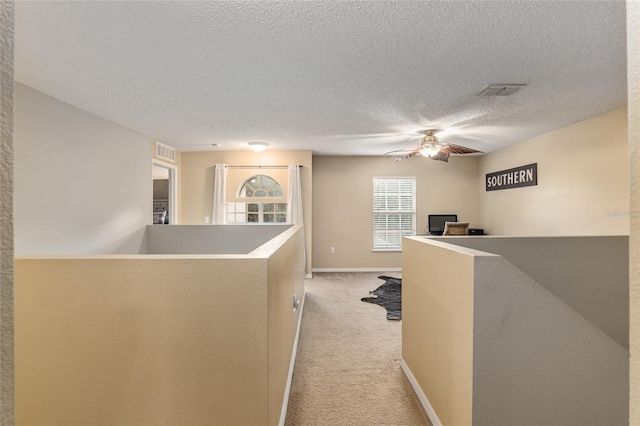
x=589 y=274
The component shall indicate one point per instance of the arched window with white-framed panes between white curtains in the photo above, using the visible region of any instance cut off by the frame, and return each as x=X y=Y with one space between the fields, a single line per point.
x=259 y=186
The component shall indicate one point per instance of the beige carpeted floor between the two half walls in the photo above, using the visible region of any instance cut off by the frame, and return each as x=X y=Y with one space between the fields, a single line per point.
x=348 y=364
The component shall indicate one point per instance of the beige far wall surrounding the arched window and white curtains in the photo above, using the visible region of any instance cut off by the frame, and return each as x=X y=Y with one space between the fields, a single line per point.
x=197 y=176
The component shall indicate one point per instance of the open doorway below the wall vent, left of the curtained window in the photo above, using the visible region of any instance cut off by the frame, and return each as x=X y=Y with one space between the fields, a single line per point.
x=165 y=193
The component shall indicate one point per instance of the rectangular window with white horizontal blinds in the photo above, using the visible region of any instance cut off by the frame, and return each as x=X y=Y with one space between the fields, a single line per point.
x=394 y=211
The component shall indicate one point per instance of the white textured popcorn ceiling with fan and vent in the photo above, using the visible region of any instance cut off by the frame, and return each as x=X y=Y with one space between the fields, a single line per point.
x=336 y=77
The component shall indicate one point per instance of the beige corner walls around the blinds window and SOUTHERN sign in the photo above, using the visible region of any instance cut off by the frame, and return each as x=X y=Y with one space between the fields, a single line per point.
x=582 y=190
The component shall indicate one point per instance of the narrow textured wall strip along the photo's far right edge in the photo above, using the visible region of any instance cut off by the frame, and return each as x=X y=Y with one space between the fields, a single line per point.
x=633 y=75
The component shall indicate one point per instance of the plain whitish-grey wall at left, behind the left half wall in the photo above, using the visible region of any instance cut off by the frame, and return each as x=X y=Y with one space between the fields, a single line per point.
x=82 y=184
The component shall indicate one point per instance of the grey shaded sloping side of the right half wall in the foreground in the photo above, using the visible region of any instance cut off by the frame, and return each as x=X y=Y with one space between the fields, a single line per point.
x=538 y=362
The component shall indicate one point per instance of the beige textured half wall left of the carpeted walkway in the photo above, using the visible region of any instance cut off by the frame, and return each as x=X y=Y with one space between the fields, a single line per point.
x=162 y=340
